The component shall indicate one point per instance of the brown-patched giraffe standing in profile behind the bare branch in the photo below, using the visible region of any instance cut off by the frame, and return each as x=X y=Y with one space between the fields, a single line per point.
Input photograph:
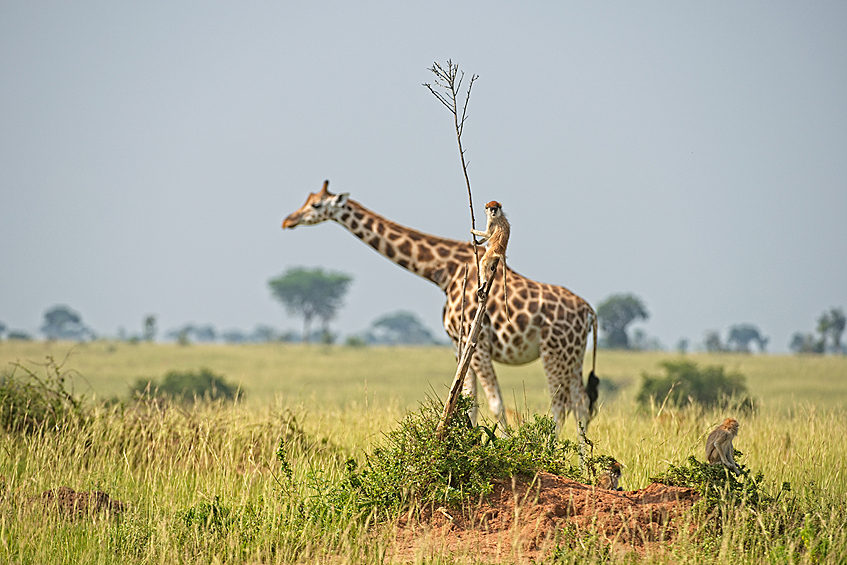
x=547 y=321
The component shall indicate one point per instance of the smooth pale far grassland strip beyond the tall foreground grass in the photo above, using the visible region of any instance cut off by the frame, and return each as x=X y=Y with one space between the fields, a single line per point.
x=338 y=375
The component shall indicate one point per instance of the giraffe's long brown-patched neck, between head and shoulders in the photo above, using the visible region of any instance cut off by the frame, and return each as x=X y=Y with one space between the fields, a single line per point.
x=434 y=258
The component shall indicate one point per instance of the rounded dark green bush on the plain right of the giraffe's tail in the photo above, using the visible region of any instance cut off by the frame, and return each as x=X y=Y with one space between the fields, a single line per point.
x=684 y=382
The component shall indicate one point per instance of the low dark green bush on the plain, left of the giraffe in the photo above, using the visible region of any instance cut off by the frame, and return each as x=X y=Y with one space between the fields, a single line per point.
x=185 y=386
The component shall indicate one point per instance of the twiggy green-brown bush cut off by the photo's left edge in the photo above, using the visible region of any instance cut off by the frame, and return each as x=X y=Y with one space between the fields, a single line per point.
x=29 y=402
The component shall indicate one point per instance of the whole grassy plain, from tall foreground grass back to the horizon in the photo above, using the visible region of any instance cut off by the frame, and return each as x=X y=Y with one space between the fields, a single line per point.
x=173 y=465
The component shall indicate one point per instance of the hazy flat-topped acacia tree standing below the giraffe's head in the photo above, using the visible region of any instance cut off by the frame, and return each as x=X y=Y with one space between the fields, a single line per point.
x=311 y=293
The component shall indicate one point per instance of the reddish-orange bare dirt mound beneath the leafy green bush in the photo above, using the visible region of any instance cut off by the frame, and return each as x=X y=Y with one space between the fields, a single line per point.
x=521 y=520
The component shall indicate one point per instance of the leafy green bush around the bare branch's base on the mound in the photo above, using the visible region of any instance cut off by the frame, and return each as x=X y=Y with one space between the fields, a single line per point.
x=413 y=466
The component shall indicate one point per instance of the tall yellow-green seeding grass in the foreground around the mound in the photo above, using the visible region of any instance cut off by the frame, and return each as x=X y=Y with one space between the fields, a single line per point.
x=203 y=482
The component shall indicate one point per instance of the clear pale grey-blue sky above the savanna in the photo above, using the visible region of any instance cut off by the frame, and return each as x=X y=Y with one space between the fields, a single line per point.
x=692 y=154
